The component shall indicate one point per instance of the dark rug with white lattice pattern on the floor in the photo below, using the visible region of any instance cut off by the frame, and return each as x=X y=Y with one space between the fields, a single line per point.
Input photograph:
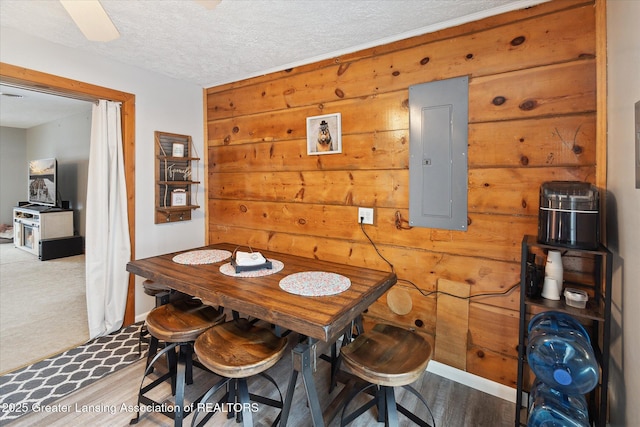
x=46 y=381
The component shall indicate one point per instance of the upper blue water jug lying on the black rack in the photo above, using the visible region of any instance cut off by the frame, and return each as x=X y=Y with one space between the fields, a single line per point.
x=560 y=354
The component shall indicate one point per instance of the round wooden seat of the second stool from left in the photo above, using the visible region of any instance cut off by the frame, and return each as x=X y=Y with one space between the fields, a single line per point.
x=182 y=321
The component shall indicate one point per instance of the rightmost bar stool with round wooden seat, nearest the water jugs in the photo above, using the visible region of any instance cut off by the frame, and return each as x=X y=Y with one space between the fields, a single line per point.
x=386 y=357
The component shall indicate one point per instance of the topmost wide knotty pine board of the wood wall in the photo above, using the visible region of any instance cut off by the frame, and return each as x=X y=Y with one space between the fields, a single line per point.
x=571 y=35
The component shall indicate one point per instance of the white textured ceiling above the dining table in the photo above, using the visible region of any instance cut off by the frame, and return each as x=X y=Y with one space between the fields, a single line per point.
x=244 y=38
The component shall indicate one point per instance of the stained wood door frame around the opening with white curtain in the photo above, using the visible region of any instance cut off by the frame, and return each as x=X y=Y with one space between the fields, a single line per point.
x=39 y=81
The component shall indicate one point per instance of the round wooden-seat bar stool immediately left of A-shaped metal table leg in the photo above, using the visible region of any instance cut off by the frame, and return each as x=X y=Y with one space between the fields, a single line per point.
x=237 y=350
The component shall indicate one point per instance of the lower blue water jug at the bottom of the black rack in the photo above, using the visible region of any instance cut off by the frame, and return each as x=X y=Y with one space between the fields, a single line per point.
x=551 y=408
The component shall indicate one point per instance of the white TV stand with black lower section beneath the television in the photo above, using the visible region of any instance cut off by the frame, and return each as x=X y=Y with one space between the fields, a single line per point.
x=46 y=232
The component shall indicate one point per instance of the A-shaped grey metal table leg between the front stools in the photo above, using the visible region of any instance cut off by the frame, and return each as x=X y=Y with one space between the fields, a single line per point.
x=302 y=363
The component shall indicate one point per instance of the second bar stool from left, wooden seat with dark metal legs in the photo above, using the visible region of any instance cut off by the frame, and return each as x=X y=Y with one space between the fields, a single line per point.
x=178 y=324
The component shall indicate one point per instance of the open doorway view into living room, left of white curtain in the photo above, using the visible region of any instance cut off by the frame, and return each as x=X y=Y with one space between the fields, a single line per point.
x=45 y=298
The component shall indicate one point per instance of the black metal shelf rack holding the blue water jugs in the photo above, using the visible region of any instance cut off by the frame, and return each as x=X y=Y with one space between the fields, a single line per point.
x=589 y=270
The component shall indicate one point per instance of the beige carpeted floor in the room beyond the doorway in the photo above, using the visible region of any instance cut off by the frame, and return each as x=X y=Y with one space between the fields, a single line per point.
x=43 y=309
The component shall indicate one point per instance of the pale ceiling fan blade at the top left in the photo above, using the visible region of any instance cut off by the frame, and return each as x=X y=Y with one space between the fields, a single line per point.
x=91 y=19
